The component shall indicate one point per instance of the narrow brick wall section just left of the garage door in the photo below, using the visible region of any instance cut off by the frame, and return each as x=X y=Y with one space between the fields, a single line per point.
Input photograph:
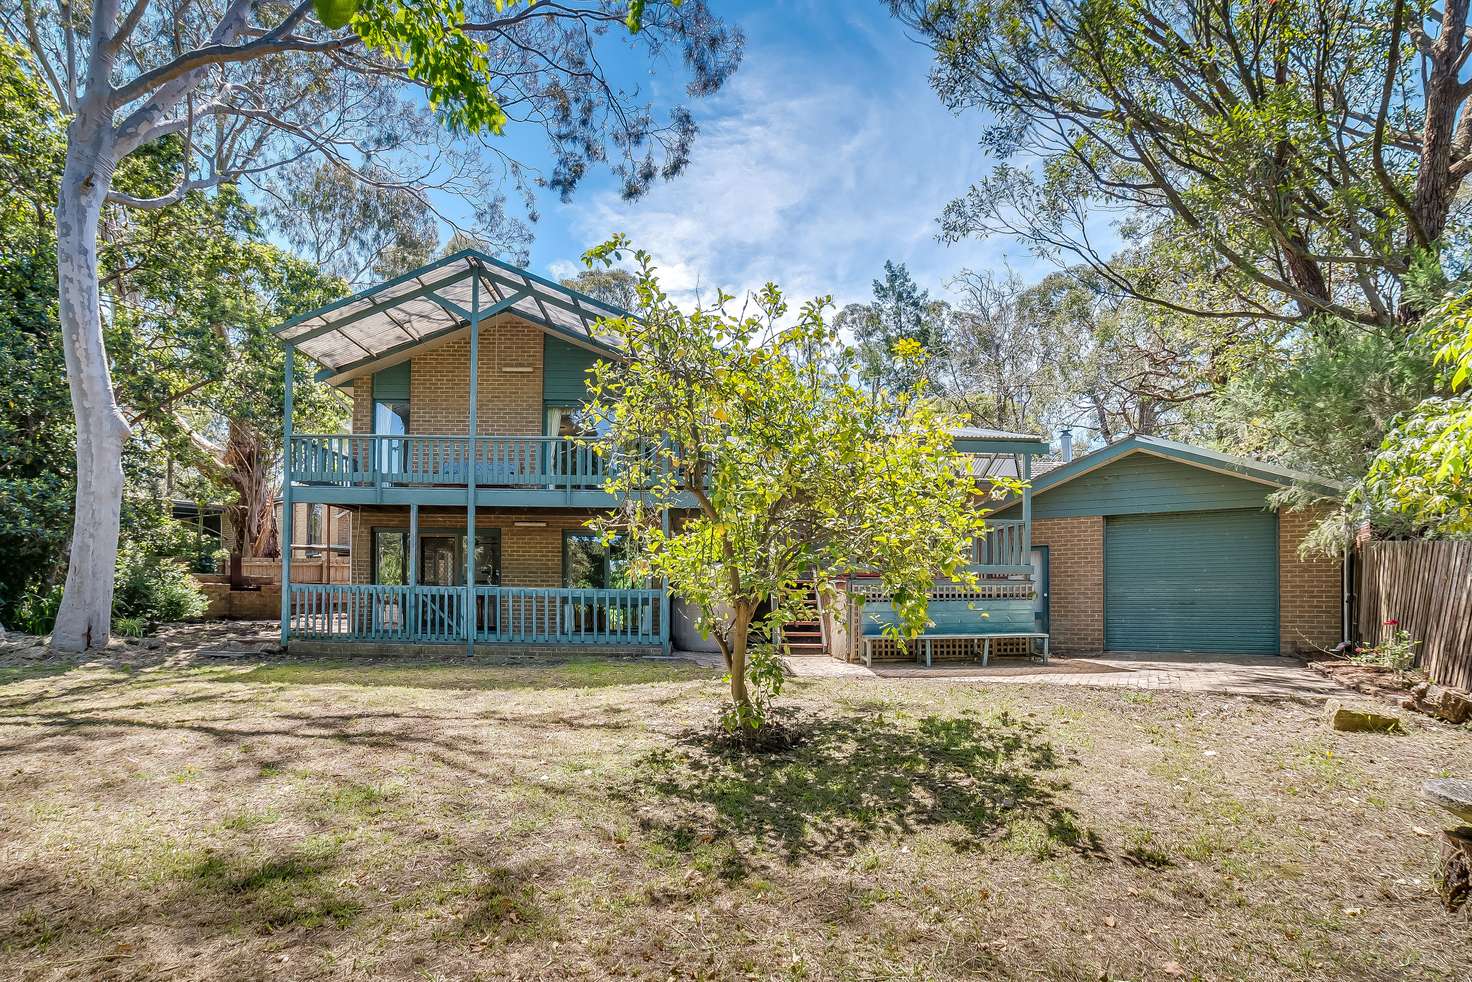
x=1075 y=582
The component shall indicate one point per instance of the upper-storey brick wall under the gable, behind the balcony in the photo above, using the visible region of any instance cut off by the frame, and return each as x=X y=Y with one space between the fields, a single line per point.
x=509 y=403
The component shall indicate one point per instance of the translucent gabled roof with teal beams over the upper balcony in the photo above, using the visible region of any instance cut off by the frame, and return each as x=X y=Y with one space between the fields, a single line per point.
x=381 y=326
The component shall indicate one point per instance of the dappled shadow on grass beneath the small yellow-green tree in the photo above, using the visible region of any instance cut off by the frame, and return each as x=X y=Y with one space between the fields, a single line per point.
x=857 y=778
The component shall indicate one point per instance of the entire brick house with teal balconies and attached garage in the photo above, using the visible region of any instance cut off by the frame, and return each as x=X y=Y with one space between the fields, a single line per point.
x=470 y=479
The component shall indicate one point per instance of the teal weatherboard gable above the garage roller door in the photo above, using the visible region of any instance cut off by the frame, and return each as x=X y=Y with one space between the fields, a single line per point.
x=1147 y=484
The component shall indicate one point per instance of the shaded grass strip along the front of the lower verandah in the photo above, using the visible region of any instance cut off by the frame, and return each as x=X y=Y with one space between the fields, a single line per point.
x=572 y=674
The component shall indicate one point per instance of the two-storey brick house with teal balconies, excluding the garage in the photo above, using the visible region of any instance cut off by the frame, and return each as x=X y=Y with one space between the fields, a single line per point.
x=472 y=482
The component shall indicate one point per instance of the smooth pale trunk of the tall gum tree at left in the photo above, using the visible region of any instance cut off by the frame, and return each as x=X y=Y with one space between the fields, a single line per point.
x=86 y=615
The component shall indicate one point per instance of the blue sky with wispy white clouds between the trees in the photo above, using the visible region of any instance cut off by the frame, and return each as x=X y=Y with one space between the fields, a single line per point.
x=827 y=155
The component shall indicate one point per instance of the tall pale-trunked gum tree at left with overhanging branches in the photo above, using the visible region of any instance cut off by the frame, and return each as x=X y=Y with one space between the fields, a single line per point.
x=247 y=86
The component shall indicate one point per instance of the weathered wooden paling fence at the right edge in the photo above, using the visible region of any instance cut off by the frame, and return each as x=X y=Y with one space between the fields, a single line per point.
x=1426 y=587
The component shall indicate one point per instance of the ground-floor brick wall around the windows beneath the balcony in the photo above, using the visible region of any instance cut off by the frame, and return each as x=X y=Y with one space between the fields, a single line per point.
x=529 y=557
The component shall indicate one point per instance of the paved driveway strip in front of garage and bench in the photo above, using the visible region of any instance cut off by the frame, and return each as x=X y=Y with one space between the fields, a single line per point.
x=1233 y=675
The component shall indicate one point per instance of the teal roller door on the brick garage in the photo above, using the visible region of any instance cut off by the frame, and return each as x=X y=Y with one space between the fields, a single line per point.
x=1200 y=581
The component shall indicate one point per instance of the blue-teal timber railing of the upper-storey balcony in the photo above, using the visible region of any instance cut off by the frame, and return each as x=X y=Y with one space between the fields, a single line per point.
x=439 y=462
